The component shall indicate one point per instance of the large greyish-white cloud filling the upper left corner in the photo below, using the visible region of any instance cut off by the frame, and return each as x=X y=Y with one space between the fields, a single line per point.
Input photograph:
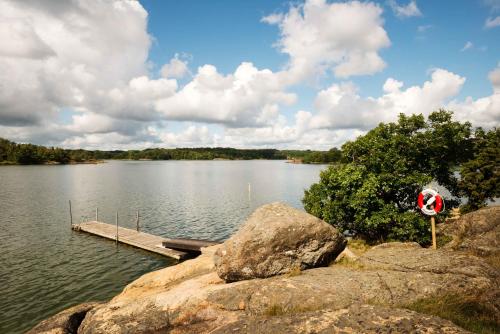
x=67 y=55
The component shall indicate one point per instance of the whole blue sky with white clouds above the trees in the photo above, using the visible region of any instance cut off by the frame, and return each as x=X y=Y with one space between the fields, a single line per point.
x=308 y=74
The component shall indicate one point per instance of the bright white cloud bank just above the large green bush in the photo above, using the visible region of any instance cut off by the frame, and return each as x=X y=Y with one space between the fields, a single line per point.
x=341 y=107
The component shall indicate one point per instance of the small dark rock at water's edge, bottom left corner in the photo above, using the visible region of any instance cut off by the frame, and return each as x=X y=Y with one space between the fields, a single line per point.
x=65 y=322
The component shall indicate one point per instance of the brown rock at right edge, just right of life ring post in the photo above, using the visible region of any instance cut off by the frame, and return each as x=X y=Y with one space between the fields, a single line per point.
x=478 y=231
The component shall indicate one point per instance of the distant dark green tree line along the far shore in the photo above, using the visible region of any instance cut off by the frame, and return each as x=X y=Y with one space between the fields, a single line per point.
x=14 y=153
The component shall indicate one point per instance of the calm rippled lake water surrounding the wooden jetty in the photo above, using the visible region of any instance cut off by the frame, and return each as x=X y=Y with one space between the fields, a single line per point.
x=45 y=267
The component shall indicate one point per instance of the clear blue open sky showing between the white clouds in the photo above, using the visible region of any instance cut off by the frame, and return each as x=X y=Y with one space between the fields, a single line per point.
x=225 y=33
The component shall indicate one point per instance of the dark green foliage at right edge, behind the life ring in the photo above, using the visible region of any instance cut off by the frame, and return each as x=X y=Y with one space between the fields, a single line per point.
x=481 y=175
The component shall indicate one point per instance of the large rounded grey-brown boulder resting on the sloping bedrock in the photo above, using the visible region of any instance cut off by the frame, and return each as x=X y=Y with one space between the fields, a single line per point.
x=277 y=239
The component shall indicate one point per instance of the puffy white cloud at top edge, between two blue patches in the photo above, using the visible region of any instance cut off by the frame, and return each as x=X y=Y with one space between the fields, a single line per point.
x=343 y=37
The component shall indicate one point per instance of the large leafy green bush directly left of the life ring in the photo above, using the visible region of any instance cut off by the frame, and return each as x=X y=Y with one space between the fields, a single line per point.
x=374 y=194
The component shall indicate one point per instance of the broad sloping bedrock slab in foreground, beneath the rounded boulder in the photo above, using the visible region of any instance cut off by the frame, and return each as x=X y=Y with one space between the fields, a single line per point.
x=364 y=293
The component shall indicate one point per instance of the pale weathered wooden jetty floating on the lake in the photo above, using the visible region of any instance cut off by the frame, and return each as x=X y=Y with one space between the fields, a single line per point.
x=130 y=237
